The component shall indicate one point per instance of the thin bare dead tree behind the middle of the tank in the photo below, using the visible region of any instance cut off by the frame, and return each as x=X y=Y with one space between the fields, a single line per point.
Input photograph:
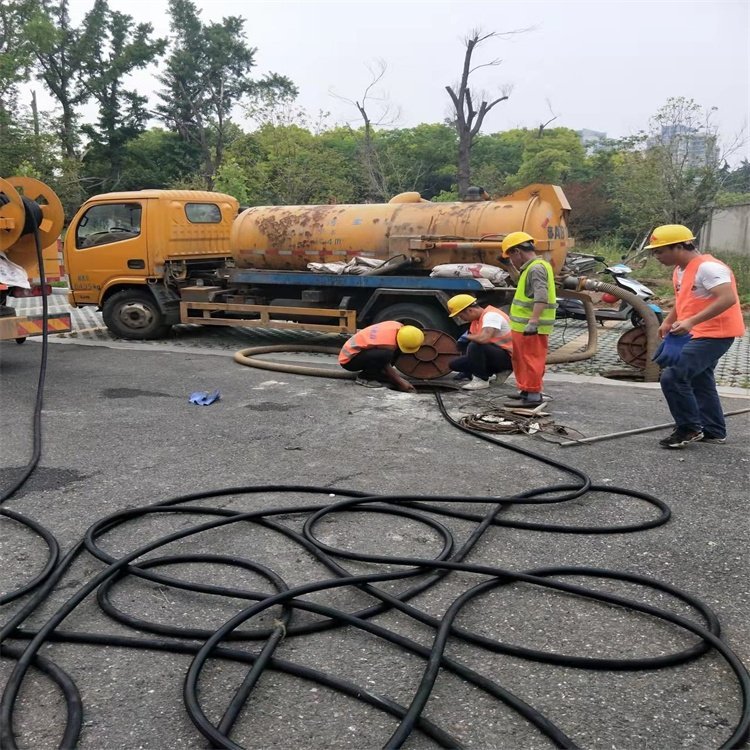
x=386 y=114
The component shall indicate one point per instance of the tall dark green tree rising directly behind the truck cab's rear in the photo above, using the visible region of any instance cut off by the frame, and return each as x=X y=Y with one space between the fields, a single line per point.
x=206 y=75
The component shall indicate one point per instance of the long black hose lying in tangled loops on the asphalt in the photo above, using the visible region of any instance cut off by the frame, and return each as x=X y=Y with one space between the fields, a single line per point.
x=419 y=575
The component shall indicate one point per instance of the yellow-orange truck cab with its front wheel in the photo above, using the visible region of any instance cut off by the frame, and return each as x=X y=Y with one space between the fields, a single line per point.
x=129 y=253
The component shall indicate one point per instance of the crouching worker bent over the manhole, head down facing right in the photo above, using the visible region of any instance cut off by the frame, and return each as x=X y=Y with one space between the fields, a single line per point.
x=373 y=350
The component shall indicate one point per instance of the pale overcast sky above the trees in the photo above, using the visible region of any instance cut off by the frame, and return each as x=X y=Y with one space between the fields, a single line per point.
x=604 y=65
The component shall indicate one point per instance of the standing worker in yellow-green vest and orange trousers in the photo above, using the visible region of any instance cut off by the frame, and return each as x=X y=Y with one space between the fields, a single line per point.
x=532 y=316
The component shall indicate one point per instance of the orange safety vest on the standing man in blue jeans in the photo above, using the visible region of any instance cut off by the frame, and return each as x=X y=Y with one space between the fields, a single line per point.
x=725 y=325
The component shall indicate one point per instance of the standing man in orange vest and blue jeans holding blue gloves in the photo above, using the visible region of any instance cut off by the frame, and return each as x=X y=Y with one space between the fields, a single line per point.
x=707 y=317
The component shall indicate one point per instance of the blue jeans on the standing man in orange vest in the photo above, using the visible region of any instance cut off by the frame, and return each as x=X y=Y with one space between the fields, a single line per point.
x=690 y=388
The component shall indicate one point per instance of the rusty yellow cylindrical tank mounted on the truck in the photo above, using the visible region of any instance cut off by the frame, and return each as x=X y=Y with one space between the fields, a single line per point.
x=289 y=237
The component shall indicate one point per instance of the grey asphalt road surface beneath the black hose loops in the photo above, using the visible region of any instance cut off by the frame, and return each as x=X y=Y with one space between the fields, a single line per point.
x=119 y=433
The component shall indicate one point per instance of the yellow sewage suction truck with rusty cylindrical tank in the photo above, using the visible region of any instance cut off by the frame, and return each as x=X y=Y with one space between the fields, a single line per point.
x=153 y=258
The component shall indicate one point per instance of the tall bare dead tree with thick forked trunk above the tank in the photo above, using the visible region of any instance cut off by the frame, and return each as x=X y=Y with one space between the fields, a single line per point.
x=468 y=120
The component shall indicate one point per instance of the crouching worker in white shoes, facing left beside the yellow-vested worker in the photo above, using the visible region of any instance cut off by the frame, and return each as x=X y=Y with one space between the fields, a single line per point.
x=489 y=347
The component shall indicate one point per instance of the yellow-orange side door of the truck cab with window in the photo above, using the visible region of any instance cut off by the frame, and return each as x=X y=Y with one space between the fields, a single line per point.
x=106 y=242
